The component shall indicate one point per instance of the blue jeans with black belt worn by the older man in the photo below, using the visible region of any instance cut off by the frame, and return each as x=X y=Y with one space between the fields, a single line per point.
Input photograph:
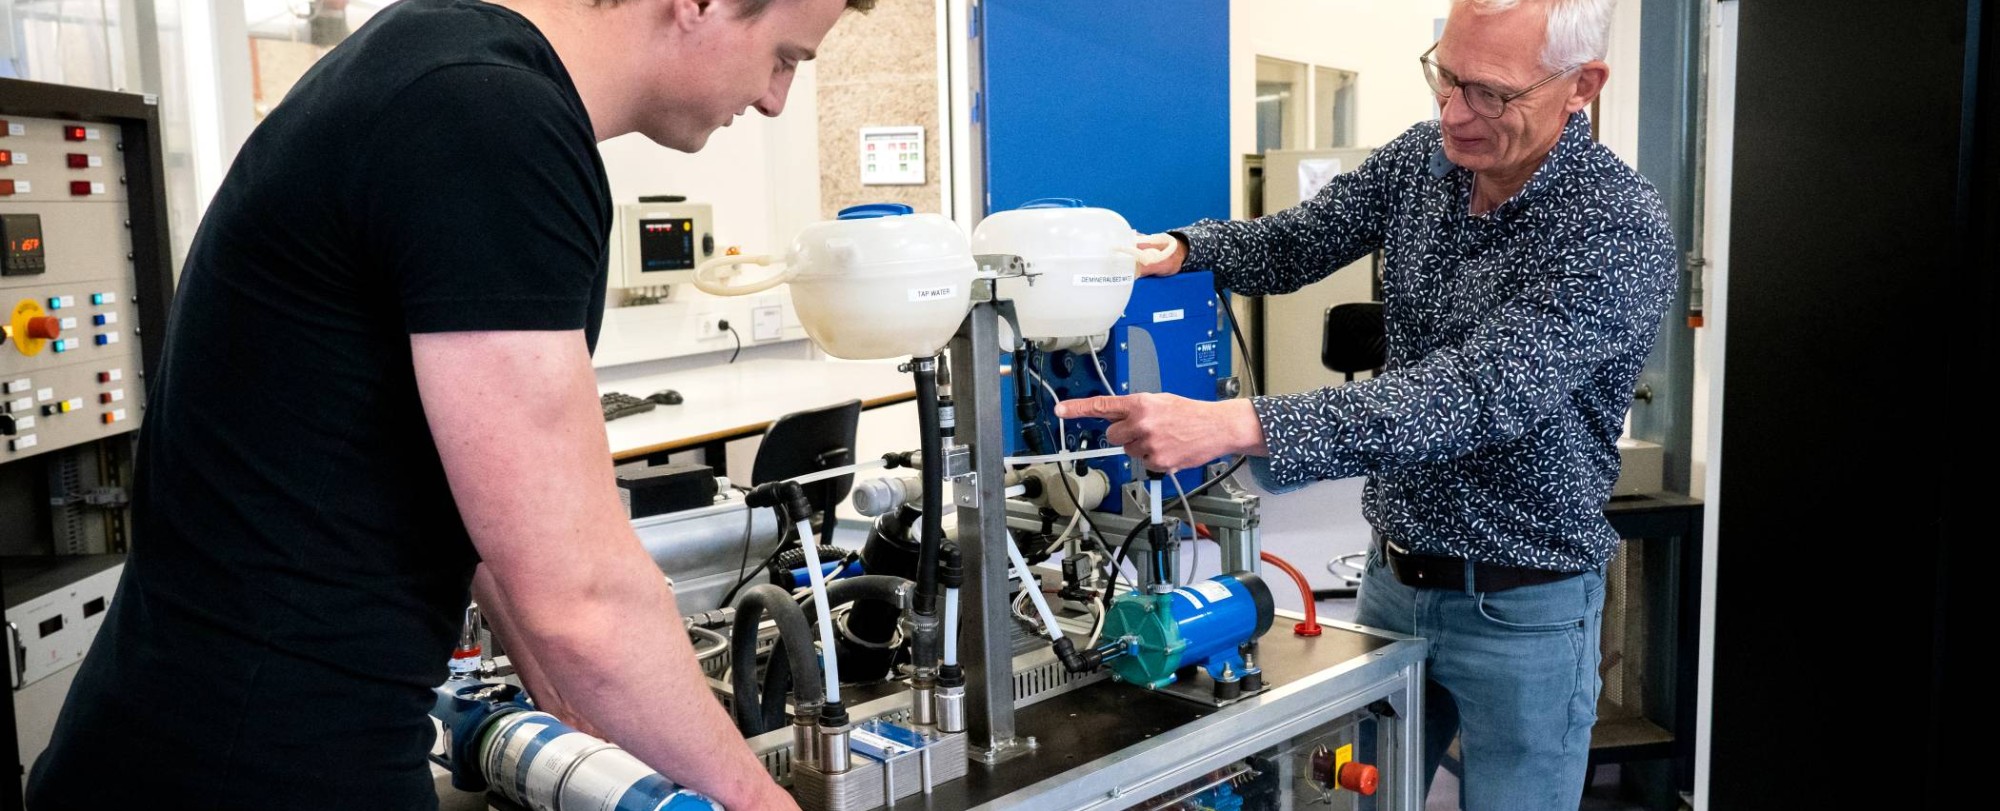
x=1513 y=674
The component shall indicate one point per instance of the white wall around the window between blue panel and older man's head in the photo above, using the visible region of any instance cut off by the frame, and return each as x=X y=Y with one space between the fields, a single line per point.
x=1377 y=39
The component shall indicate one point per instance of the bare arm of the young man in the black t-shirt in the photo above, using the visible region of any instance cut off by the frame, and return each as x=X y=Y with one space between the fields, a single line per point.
x=523 y=442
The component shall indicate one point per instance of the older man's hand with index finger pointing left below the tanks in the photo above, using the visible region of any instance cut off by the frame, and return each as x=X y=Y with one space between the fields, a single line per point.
x=1169 y=432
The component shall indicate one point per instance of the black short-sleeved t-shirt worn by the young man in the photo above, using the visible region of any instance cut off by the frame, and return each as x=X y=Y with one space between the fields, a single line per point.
x=299 y=566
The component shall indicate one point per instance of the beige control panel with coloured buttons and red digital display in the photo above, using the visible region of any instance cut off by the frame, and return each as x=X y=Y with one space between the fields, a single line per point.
x=71 y=367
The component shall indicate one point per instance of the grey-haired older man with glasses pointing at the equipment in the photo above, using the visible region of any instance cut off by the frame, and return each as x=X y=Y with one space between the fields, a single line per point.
x=1527 y=273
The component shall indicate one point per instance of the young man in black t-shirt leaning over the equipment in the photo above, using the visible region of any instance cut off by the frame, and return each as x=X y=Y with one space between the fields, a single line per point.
x=377 y=393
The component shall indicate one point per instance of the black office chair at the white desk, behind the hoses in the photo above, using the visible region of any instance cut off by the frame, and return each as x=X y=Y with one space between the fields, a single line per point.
x=807 y=442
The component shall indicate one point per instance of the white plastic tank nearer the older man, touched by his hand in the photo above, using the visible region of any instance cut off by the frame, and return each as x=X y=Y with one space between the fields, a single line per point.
x=1081 y=259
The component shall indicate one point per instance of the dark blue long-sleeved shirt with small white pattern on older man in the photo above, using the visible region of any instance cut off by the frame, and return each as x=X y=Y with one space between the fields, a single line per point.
x=1515 y=345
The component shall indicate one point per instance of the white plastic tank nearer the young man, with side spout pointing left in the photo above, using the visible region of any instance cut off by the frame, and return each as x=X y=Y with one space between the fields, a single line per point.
x=873 y=285
